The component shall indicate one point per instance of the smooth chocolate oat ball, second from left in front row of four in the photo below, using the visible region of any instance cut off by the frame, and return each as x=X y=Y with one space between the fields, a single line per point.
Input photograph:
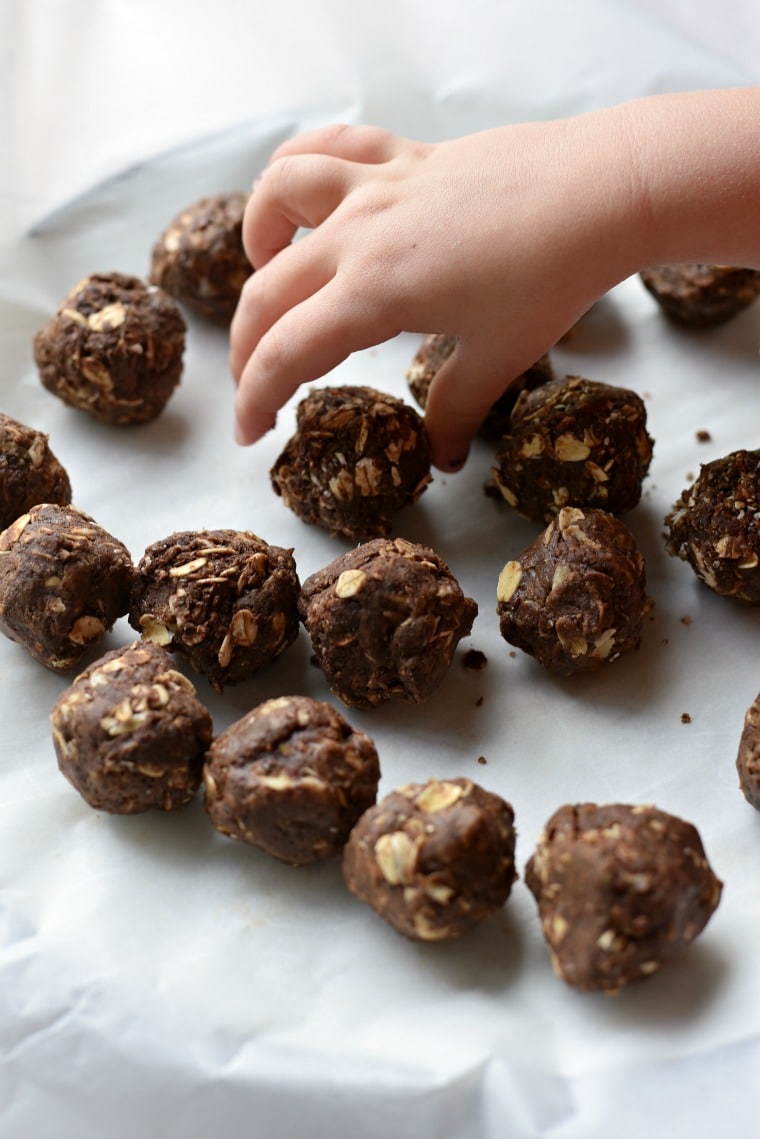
x=292 y=779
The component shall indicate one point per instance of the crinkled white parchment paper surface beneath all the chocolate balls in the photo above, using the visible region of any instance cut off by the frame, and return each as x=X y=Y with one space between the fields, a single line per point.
x=158 y=980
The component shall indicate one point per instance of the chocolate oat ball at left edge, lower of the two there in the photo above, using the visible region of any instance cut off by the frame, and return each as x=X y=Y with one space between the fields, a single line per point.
x=64 y=581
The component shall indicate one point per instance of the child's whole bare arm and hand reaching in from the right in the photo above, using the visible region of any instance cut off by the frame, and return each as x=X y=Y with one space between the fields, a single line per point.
x=502 y=239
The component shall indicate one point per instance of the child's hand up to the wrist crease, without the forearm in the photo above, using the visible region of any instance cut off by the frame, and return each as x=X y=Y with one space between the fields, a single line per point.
x=500 y=239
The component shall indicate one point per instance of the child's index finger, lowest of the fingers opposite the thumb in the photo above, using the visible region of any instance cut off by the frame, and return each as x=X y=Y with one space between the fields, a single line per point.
x=305 y=345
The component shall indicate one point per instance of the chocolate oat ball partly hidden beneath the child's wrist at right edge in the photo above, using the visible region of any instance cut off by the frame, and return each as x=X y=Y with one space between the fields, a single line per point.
x=702 y=297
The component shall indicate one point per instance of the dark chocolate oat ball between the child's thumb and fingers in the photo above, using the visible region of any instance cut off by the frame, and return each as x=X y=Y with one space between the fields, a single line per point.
x=357 y=458
